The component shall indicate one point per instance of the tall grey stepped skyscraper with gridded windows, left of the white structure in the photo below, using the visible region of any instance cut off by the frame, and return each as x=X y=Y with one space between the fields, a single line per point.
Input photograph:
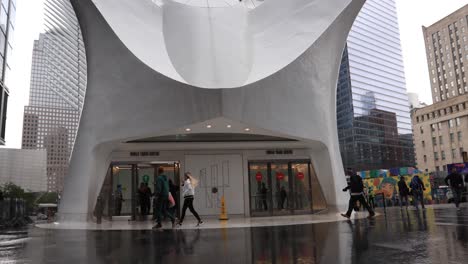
x=58 y=85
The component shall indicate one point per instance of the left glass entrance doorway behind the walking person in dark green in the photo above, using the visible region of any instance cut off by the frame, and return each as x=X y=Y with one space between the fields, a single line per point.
x=129 y=188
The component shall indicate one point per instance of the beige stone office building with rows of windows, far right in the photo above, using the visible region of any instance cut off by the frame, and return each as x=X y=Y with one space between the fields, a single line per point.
x=441 y=129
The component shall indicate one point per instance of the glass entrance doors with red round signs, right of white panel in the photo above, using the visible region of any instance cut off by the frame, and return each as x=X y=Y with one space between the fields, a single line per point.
x=284 y=187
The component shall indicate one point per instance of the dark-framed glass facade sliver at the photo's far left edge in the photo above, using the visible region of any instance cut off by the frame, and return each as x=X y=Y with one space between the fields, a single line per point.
x=7 y=21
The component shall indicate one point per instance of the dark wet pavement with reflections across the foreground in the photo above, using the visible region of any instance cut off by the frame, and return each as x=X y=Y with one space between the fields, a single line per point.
x=432 y=236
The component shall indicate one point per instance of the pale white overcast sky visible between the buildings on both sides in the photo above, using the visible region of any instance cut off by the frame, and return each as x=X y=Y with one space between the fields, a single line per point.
x=29 y=23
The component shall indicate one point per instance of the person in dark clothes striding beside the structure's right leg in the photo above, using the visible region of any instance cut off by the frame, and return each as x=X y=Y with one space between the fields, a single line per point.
x=357 y=194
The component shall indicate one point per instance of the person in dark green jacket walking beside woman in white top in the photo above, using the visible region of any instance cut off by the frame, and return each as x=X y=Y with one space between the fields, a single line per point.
x=162 y=199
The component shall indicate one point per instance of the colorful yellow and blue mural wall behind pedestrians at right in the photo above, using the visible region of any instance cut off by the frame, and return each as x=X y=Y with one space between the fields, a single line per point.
x=386 y=182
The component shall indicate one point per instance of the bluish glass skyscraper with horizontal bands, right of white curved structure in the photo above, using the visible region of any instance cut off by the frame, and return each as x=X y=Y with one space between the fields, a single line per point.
x=373 y=114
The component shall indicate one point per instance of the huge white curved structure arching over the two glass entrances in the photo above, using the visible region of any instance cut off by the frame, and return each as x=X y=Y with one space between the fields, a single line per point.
x=150 y=64
